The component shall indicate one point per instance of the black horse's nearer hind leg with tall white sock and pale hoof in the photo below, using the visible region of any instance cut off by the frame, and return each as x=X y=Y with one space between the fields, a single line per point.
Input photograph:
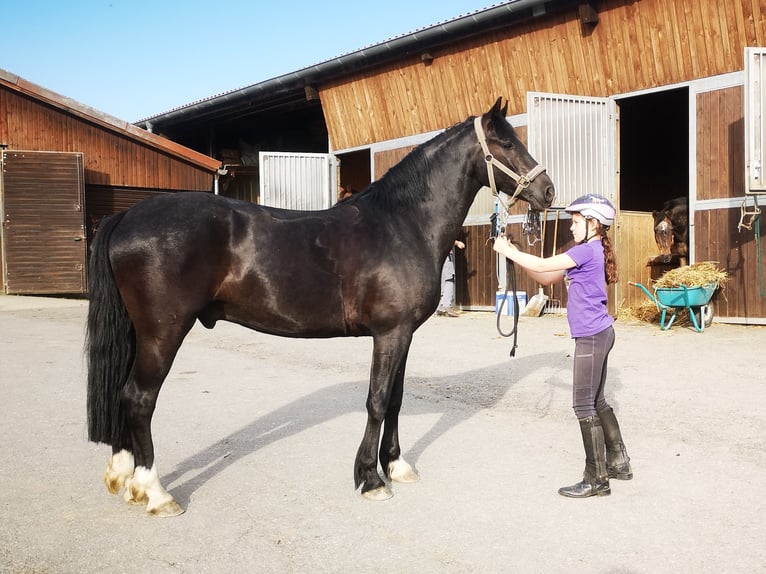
x=154 y=357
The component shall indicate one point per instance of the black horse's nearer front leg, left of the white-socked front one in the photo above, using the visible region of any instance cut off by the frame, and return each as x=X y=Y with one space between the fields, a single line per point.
x=389 y=354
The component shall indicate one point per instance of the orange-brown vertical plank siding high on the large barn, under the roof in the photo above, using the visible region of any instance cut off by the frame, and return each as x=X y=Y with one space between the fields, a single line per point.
x=635 y=45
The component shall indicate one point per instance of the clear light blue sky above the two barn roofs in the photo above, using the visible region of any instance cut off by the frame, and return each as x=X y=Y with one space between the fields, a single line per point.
x=137 y=58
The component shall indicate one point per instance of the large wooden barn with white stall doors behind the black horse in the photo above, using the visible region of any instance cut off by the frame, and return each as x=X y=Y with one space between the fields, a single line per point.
x=639 y=100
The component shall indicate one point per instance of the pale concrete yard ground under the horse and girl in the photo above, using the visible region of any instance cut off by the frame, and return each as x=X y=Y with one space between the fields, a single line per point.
x=256 y=437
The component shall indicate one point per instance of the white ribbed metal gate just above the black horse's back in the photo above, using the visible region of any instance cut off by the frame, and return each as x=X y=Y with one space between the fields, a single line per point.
x=296 y=180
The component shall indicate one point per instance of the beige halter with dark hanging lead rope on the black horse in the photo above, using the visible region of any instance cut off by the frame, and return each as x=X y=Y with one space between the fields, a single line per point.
x=522 y=182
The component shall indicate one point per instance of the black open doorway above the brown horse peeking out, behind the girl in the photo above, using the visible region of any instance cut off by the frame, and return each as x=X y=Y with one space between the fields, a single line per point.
x=654 y=149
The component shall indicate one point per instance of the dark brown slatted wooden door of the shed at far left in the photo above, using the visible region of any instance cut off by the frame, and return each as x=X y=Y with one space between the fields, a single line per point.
x=43 y=235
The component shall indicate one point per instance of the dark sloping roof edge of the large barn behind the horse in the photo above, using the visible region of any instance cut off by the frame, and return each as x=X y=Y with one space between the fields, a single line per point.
x=295 y=88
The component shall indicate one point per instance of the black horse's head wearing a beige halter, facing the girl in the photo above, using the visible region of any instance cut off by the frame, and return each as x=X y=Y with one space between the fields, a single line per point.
x=510 y=168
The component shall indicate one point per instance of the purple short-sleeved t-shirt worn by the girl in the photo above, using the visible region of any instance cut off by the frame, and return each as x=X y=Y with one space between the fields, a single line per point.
x=586 y=296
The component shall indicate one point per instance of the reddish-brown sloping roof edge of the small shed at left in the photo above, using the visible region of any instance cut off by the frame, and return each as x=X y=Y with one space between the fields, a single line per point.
x=107 y=122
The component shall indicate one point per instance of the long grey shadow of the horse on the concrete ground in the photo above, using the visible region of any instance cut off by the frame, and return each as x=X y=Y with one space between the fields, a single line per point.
x=454 y=398
